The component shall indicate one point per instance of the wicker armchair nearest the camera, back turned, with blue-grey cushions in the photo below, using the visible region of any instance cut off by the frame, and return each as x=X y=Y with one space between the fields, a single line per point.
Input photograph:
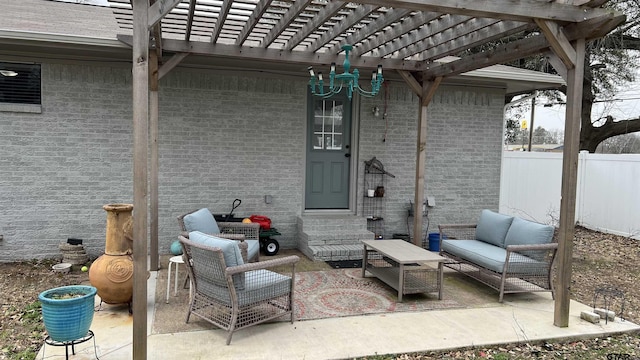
x=235 y=297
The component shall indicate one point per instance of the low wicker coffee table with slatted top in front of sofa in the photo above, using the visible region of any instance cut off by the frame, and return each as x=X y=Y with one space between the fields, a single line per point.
x=405 y=267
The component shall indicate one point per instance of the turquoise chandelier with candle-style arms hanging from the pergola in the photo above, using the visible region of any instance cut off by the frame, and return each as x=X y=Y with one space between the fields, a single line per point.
x=345 y=80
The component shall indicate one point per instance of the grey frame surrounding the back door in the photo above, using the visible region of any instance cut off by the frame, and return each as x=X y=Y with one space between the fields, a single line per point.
x=353 y=167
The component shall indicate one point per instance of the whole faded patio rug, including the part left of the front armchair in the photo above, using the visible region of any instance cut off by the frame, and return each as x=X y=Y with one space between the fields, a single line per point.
x=319 y=294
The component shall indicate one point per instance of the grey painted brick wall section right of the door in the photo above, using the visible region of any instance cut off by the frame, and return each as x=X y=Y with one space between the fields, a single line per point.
x=464 y=132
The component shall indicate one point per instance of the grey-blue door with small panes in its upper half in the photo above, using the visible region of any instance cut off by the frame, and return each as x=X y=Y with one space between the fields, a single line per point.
x=328 y=153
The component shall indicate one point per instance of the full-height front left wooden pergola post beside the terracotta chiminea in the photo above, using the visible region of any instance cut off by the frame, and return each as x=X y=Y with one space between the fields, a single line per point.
x=140 y=73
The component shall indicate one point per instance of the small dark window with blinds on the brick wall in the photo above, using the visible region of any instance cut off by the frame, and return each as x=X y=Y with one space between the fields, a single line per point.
x=20 y=83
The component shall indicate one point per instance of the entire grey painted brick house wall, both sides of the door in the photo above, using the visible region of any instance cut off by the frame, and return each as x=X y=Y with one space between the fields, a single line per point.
x=222 y=136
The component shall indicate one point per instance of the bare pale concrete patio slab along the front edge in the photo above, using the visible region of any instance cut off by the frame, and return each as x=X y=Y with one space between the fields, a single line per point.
x=522 y=317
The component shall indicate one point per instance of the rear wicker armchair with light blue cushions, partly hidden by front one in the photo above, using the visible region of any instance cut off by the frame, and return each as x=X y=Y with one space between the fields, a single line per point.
x=249 y=233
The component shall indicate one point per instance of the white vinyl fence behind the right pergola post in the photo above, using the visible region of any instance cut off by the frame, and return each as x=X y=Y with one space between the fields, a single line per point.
x=608 y=190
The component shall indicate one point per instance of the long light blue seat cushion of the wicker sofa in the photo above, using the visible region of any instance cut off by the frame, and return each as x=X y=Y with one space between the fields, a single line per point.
x=492 y=257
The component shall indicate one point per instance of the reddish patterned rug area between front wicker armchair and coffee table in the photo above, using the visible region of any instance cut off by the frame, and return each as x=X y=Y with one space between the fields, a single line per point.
x=343 y=292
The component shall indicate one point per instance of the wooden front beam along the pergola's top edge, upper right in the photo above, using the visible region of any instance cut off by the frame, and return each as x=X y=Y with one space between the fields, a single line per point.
x=518 y=10
